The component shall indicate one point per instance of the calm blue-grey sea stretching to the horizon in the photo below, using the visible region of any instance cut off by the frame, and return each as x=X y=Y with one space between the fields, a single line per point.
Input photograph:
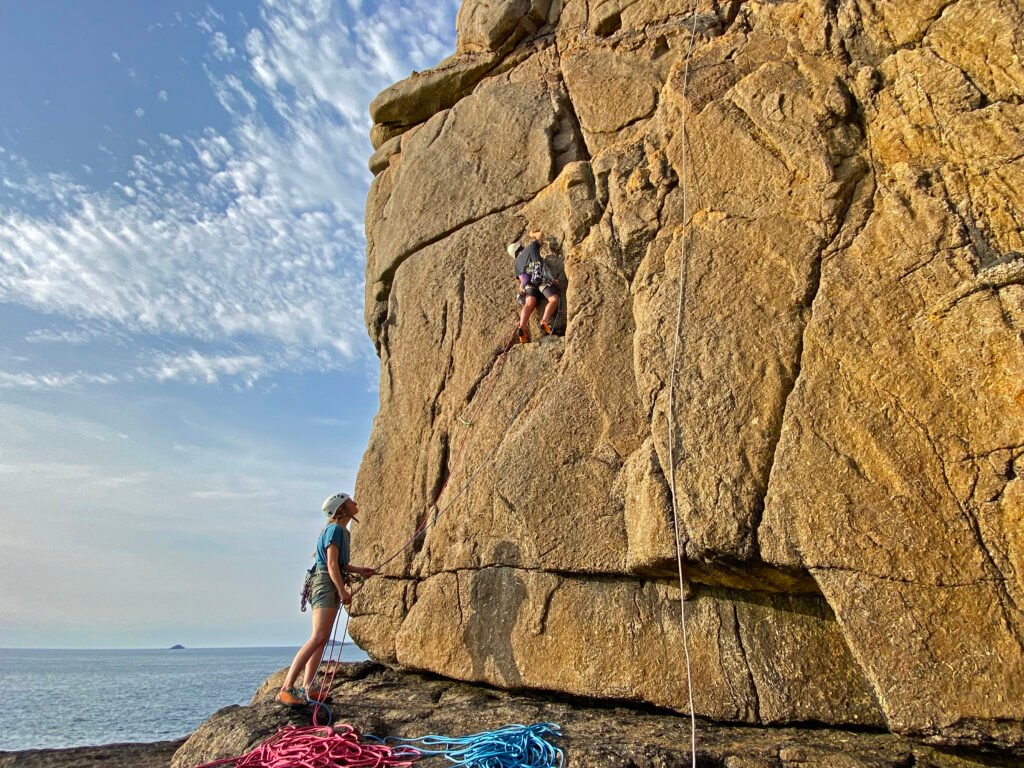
x=58 y=699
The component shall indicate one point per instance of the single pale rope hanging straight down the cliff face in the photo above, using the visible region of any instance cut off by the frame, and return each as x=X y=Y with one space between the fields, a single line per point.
x=684 y=258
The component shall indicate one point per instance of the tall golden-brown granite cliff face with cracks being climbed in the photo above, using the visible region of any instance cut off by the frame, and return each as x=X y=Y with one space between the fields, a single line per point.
x=844 y=216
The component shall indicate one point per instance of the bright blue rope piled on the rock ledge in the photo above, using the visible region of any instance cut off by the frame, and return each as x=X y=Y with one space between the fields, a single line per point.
x=511 y=747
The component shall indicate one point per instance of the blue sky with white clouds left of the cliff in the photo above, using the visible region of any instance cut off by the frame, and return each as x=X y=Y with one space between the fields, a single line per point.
x=185 y=374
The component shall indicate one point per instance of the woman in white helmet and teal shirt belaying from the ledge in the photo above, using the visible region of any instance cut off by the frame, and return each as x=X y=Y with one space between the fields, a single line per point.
x=328 y=590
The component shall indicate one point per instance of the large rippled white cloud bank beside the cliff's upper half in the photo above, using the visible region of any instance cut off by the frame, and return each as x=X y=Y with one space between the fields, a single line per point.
x=249 y=238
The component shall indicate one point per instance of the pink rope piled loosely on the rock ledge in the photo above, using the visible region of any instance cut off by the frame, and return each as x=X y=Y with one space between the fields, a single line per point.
x=314 y=747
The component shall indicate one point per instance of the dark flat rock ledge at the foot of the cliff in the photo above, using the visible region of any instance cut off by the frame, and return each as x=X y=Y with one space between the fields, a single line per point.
x=382 y=702
